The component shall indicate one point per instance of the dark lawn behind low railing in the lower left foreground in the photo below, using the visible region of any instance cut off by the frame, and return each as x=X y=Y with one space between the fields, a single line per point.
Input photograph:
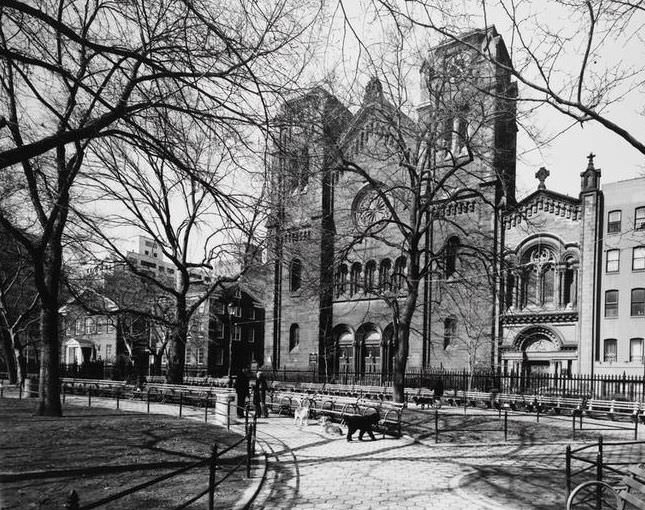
x=99 y=452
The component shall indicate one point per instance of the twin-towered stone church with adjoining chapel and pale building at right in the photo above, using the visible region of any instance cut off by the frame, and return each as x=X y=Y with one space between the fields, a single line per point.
x=504 y=284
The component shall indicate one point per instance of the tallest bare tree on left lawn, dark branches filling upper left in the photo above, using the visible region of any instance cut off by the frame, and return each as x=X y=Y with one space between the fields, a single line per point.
x=77 y=72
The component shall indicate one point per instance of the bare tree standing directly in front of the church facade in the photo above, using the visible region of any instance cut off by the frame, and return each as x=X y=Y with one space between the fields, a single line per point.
x=428 y=191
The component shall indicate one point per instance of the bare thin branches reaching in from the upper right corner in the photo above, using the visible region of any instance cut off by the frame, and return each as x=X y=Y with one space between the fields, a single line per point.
x=575 y=57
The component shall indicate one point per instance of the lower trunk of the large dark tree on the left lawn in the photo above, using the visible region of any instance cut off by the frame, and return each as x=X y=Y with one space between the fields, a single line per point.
x=49 y=388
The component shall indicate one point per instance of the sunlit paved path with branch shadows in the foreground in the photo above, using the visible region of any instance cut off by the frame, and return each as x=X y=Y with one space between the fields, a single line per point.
x=309 y=470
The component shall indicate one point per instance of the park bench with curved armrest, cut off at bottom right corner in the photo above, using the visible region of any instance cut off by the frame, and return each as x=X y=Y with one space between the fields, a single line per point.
x=628 y=494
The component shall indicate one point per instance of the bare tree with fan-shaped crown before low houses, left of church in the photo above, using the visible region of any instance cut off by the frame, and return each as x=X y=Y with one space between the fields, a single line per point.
x=196 y=224
